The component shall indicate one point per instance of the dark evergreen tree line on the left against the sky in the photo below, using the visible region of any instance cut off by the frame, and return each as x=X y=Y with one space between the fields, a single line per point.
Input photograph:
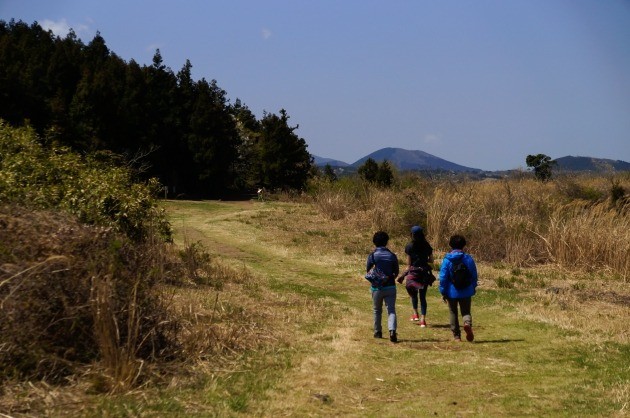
x=182 y=131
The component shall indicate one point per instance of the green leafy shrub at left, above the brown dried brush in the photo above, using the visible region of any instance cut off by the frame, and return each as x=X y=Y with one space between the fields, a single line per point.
x=93 y=188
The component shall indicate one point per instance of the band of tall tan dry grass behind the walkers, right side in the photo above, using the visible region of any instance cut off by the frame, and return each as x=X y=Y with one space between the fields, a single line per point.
x=577 y=222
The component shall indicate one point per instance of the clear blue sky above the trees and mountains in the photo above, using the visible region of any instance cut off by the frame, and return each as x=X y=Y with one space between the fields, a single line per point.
x=479 y=83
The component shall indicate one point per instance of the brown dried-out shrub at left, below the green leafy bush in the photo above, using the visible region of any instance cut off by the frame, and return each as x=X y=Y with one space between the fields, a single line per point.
x=71 y=294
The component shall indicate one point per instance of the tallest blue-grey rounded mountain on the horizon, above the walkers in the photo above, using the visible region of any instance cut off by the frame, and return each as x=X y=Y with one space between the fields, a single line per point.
x=413 y=160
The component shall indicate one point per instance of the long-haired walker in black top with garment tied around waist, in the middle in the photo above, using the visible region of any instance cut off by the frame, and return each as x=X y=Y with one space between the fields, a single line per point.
x=418 y=276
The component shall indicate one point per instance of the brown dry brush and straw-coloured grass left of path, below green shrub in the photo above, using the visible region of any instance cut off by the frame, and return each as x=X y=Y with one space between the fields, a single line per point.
x=84 y=310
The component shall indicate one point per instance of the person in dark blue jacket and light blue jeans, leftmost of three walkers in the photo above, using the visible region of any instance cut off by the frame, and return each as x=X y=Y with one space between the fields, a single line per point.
x=382 y=270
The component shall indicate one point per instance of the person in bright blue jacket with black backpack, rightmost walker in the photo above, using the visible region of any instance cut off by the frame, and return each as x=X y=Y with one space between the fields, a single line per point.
x=458 y=282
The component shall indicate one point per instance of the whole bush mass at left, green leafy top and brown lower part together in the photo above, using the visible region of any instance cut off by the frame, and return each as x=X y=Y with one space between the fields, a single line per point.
x=82 y=251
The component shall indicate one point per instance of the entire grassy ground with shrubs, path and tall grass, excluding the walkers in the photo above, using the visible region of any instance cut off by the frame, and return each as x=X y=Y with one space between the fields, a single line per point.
x=260 y=308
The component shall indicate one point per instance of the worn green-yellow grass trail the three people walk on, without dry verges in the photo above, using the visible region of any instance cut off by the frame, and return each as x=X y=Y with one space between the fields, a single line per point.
x=329 y=364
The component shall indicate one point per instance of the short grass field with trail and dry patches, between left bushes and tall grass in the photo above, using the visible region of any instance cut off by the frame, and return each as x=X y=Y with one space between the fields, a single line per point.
x=280 y=324
